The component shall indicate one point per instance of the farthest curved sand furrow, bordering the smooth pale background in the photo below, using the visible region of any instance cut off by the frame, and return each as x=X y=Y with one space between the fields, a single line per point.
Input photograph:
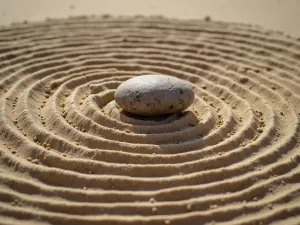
x=154 y=23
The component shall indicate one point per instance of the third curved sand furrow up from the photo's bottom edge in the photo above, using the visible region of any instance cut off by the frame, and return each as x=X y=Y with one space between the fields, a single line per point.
x=174 y=194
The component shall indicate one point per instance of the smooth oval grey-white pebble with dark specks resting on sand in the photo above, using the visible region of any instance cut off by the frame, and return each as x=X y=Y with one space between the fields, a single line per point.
x=154 y=95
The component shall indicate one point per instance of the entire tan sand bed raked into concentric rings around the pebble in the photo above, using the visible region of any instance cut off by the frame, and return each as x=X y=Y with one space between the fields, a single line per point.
x=70 y=156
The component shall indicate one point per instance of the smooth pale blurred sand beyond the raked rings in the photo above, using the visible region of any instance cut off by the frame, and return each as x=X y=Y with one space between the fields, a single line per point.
x=281 y=15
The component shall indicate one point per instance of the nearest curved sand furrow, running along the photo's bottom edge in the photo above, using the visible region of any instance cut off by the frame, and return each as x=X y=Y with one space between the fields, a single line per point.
x=281 y=212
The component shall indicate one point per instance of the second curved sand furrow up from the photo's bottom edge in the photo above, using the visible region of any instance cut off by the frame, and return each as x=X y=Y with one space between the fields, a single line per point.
x=145 y=209
